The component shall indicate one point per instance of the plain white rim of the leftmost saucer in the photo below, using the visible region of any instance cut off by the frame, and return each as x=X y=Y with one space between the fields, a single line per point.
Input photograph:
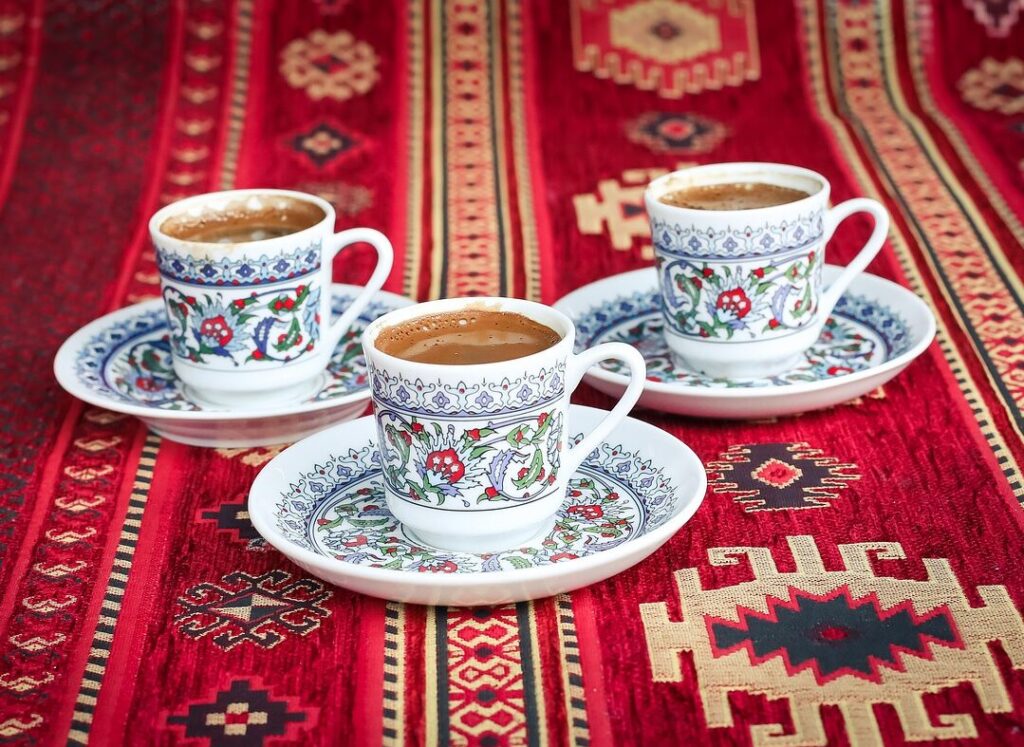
x=64 y=371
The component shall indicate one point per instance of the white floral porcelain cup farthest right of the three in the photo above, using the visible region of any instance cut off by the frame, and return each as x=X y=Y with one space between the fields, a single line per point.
x=742 y=290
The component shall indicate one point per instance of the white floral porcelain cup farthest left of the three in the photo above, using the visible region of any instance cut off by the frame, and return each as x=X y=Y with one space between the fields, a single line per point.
x=250 y=322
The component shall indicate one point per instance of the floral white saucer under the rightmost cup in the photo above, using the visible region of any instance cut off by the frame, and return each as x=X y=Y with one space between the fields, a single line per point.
x=875 y=331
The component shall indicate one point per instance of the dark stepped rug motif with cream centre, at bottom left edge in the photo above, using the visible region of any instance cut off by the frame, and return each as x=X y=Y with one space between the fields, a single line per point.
x=241 y=716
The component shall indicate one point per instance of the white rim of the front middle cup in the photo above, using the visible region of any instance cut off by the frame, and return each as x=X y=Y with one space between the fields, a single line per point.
x=441 y=306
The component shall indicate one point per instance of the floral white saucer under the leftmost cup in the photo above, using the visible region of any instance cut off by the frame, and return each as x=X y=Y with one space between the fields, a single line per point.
x=122 y=362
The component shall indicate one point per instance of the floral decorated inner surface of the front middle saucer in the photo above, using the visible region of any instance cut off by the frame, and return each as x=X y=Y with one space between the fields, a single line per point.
x=337 y=510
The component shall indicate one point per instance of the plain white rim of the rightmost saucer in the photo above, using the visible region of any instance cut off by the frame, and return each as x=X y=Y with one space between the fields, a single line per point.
x=571 y=305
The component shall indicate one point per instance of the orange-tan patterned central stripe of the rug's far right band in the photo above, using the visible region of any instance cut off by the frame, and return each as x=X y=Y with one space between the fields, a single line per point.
x=971 y=264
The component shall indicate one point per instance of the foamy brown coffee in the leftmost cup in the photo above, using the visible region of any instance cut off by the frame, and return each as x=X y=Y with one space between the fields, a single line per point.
x=245 y=222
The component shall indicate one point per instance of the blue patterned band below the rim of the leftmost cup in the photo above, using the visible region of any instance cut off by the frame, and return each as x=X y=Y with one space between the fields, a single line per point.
x=239 y=272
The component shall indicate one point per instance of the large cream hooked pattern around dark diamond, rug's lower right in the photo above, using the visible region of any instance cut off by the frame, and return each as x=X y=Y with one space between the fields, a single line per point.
x=997 y=620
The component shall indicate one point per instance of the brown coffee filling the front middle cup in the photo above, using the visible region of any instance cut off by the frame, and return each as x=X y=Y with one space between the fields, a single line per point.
x=466 y=338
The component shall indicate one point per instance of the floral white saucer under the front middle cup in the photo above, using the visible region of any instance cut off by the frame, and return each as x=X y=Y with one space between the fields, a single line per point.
x=321 y=503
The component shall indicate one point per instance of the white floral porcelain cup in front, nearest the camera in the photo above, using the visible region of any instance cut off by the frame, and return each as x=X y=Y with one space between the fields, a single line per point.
x=476 y=458
